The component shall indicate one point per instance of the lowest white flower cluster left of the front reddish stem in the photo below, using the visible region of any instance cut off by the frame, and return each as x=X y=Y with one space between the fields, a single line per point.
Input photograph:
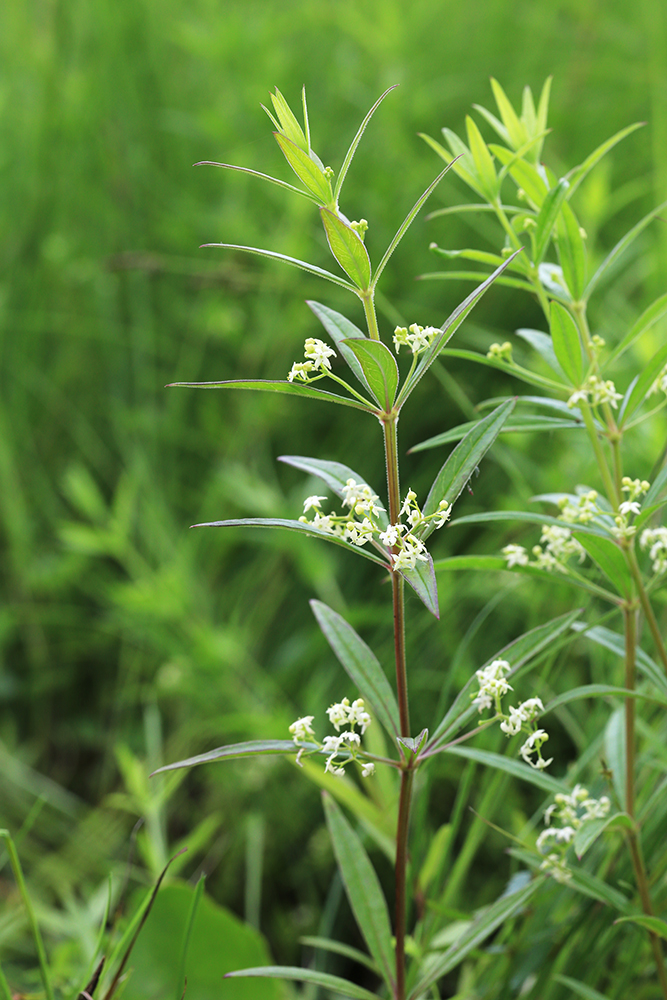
x=348 y=742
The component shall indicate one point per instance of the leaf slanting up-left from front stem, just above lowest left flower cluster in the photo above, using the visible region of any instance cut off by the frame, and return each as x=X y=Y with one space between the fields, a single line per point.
x=360 y=664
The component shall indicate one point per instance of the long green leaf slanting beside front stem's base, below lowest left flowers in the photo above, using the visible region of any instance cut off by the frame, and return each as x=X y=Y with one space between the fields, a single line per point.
x=363 y=889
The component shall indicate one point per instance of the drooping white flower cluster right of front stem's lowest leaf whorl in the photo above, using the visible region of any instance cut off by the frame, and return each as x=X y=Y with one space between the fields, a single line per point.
x=493 y=685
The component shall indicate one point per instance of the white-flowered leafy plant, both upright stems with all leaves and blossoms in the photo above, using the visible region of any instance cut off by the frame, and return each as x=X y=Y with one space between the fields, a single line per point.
x=597 y=528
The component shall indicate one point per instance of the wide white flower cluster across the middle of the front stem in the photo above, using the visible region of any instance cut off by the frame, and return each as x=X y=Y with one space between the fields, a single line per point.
x=361 y=524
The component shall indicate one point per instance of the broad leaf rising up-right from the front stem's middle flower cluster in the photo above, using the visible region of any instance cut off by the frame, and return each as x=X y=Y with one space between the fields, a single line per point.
x=459 y=467
